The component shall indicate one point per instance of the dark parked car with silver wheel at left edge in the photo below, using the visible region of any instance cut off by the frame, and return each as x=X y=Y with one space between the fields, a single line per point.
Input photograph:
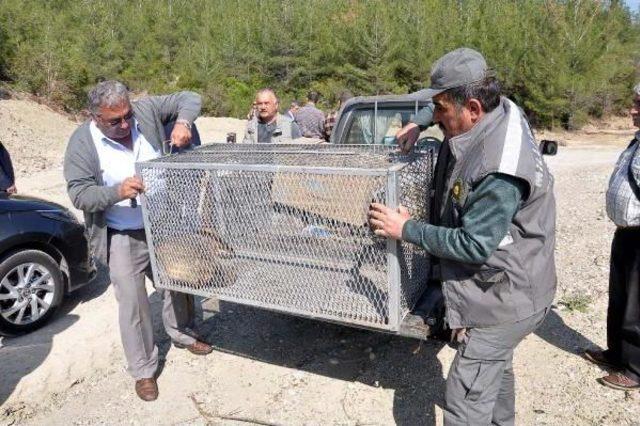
x=44 y=254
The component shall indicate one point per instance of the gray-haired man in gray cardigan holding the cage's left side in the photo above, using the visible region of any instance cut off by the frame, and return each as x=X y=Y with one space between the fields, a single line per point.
x=99 y=167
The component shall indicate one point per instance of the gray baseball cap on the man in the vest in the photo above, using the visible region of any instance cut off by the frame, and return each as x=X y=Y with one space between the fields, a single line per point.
x=457 y=68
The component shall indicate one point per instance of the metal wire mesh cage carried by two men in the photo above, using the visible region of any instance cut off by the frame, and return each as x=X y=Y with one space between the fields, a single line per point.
x=284 y=227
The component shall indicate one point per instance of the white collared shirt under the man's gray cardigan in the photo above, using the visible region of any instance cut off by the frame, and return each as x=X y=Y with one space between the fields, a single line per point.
x=118 y=163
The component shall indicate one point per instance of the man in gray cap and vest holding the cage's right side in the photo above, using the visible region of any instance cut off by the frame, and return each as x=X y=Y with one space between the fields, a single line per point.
x=492 y=232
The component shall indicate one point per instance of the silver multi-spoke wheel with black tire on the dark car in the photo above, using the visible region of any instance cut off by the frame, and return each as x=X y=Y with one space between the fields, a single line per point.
x=31 y=288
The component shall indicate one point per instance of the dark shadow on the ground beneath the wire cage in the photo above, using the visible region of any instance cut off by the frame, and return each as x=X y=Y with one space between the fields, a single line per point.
x=407 y=366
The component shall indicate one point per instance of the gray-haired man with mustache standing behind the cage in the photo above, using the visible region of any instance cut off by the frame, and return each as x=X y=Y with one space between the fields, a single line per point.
x=267 y=125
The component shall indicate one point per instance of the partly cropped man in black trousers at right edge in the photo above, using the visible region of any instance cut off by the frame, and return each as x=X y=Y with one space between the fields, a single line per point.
x=623 y=316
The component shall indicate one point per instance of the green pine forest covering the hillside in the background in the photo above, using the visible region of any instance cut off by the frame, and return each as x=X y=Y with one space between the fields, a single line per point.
x=563 y=61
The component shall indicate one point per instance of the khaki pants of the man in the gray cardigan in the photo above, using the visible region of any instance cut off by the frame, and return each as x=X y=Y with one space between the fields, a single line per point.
x=129 y=264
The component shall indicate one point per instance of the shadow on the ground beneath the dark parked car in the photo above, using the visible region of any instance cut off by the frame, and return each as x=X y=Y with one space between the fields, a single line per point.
x=21 y=355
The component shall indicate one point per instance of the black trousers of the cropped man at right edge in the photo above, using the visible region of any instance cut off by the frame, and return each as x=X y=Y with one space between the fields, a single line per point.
x=623 y=315
